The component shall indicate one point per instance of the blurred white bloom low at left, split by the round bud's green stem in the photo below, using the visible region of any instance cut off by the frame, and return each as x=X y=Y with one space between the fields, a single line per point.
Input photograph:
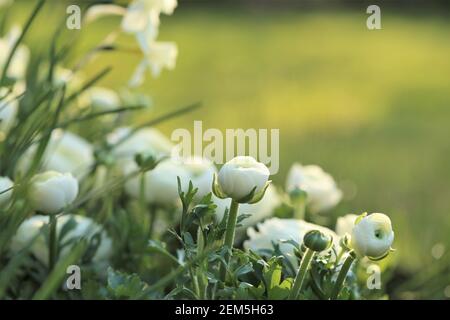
x=84 y=227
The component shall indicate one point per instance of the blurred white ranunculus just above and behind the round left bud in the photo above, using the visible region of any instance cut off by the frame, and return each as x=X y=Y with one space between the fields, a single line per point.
x=68 y=152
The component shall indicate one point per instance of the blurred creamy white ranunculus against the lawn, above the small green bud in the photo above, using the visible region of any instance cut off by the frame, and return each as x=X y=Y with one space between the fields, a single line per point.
x=323 y=193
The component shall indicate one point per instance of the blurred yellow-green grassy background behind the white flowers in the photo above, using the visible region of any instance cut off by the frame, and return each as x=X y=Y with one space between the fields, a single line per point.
x=371 y=107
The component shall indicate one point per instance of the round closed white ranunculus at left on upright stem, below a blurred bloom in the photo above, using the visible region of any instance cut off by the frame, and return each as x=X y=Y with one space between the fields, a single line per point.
x=50 y=192
